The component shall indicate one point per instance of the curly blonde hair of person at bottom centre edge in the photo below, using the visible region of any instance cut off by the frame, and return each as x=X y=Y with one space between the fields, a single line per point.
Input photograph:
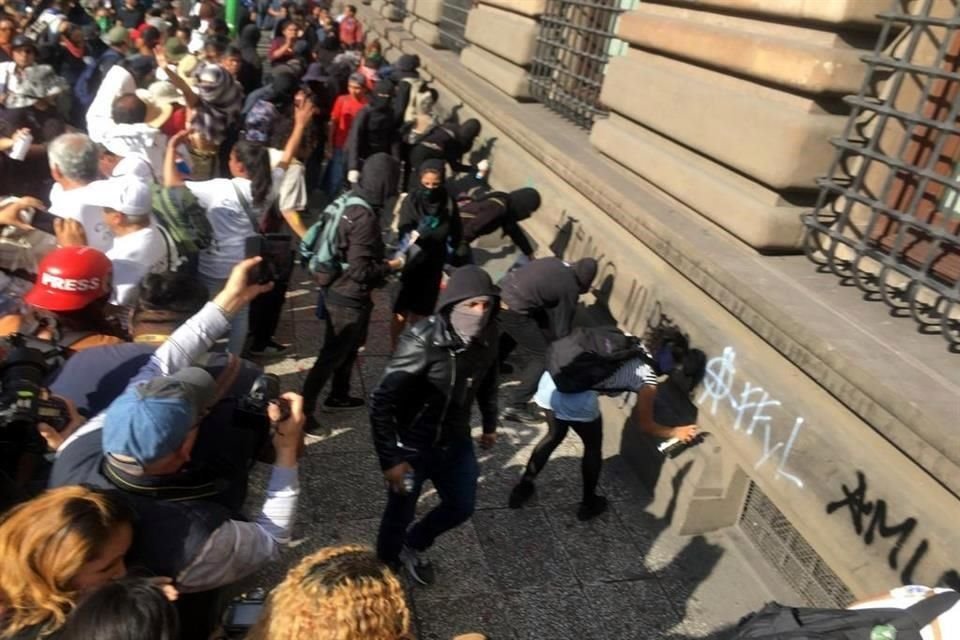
x=337 y=593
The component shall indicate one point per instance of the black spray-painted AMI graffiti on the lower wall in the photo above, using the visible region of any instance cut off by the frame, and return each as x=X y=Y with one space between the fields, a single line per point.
x=871 y=521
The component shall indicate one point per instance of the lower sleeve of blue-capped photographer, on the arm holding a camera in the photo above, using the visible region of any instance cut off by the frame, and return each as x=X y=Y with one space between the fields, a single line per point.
x=237 y=549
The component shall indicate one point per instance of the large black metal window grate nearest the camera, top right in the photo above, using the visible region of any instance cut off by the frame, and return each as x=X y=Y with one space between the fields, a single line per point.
x=888 y=214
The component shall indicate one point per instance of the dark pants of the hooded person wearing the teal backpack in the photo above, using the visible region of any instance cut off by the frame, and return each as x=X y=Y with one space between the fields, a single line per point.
x=346 y=333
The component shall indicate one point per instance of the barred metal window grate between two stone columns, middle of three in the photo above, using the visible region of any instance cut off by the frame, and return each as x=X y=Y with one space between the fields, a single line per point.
x=573 y=48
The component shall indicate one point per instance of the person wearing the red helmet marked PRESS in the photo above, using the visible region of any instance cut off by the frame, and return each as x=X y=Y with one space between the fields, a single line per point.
x=69 y=303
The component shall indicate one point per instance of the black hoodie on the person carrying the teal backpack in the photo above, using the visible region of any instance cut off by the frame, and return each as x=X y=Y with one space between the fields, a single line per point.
x=359 y=239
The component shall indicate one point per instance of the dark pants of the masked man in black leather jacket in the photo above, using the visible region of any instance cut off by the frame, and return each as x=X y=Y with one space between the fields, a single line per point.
x=454 y=471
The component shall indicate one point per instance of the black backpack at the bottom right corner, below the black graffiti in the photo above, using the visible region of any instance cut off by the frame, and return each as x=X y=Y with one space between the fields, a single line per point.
x=777 y=622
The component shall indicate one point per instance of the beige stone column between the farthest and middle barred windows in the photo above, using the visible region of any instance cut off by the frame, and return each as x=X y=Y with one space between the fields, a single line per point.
x=503 y=40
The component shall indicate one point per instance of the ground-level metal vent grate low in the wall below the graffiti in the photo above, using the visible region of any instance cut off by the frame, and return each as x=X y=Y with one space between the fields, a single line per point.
x=783 y=547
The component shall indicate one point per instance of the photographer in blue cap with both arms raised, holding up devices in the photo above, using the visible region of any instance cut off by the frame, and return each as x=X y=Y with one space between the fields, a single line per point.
x=147 y=436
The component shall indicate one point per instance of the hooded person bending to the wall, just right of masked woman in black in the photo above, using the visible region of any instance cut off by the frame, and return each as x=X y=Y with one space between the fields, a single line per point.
x=498 y=211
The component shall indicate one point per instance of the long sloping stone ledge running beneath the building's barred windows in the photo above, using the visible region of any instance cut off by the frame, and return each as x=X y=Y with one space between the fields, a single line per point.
x=904 y=384
